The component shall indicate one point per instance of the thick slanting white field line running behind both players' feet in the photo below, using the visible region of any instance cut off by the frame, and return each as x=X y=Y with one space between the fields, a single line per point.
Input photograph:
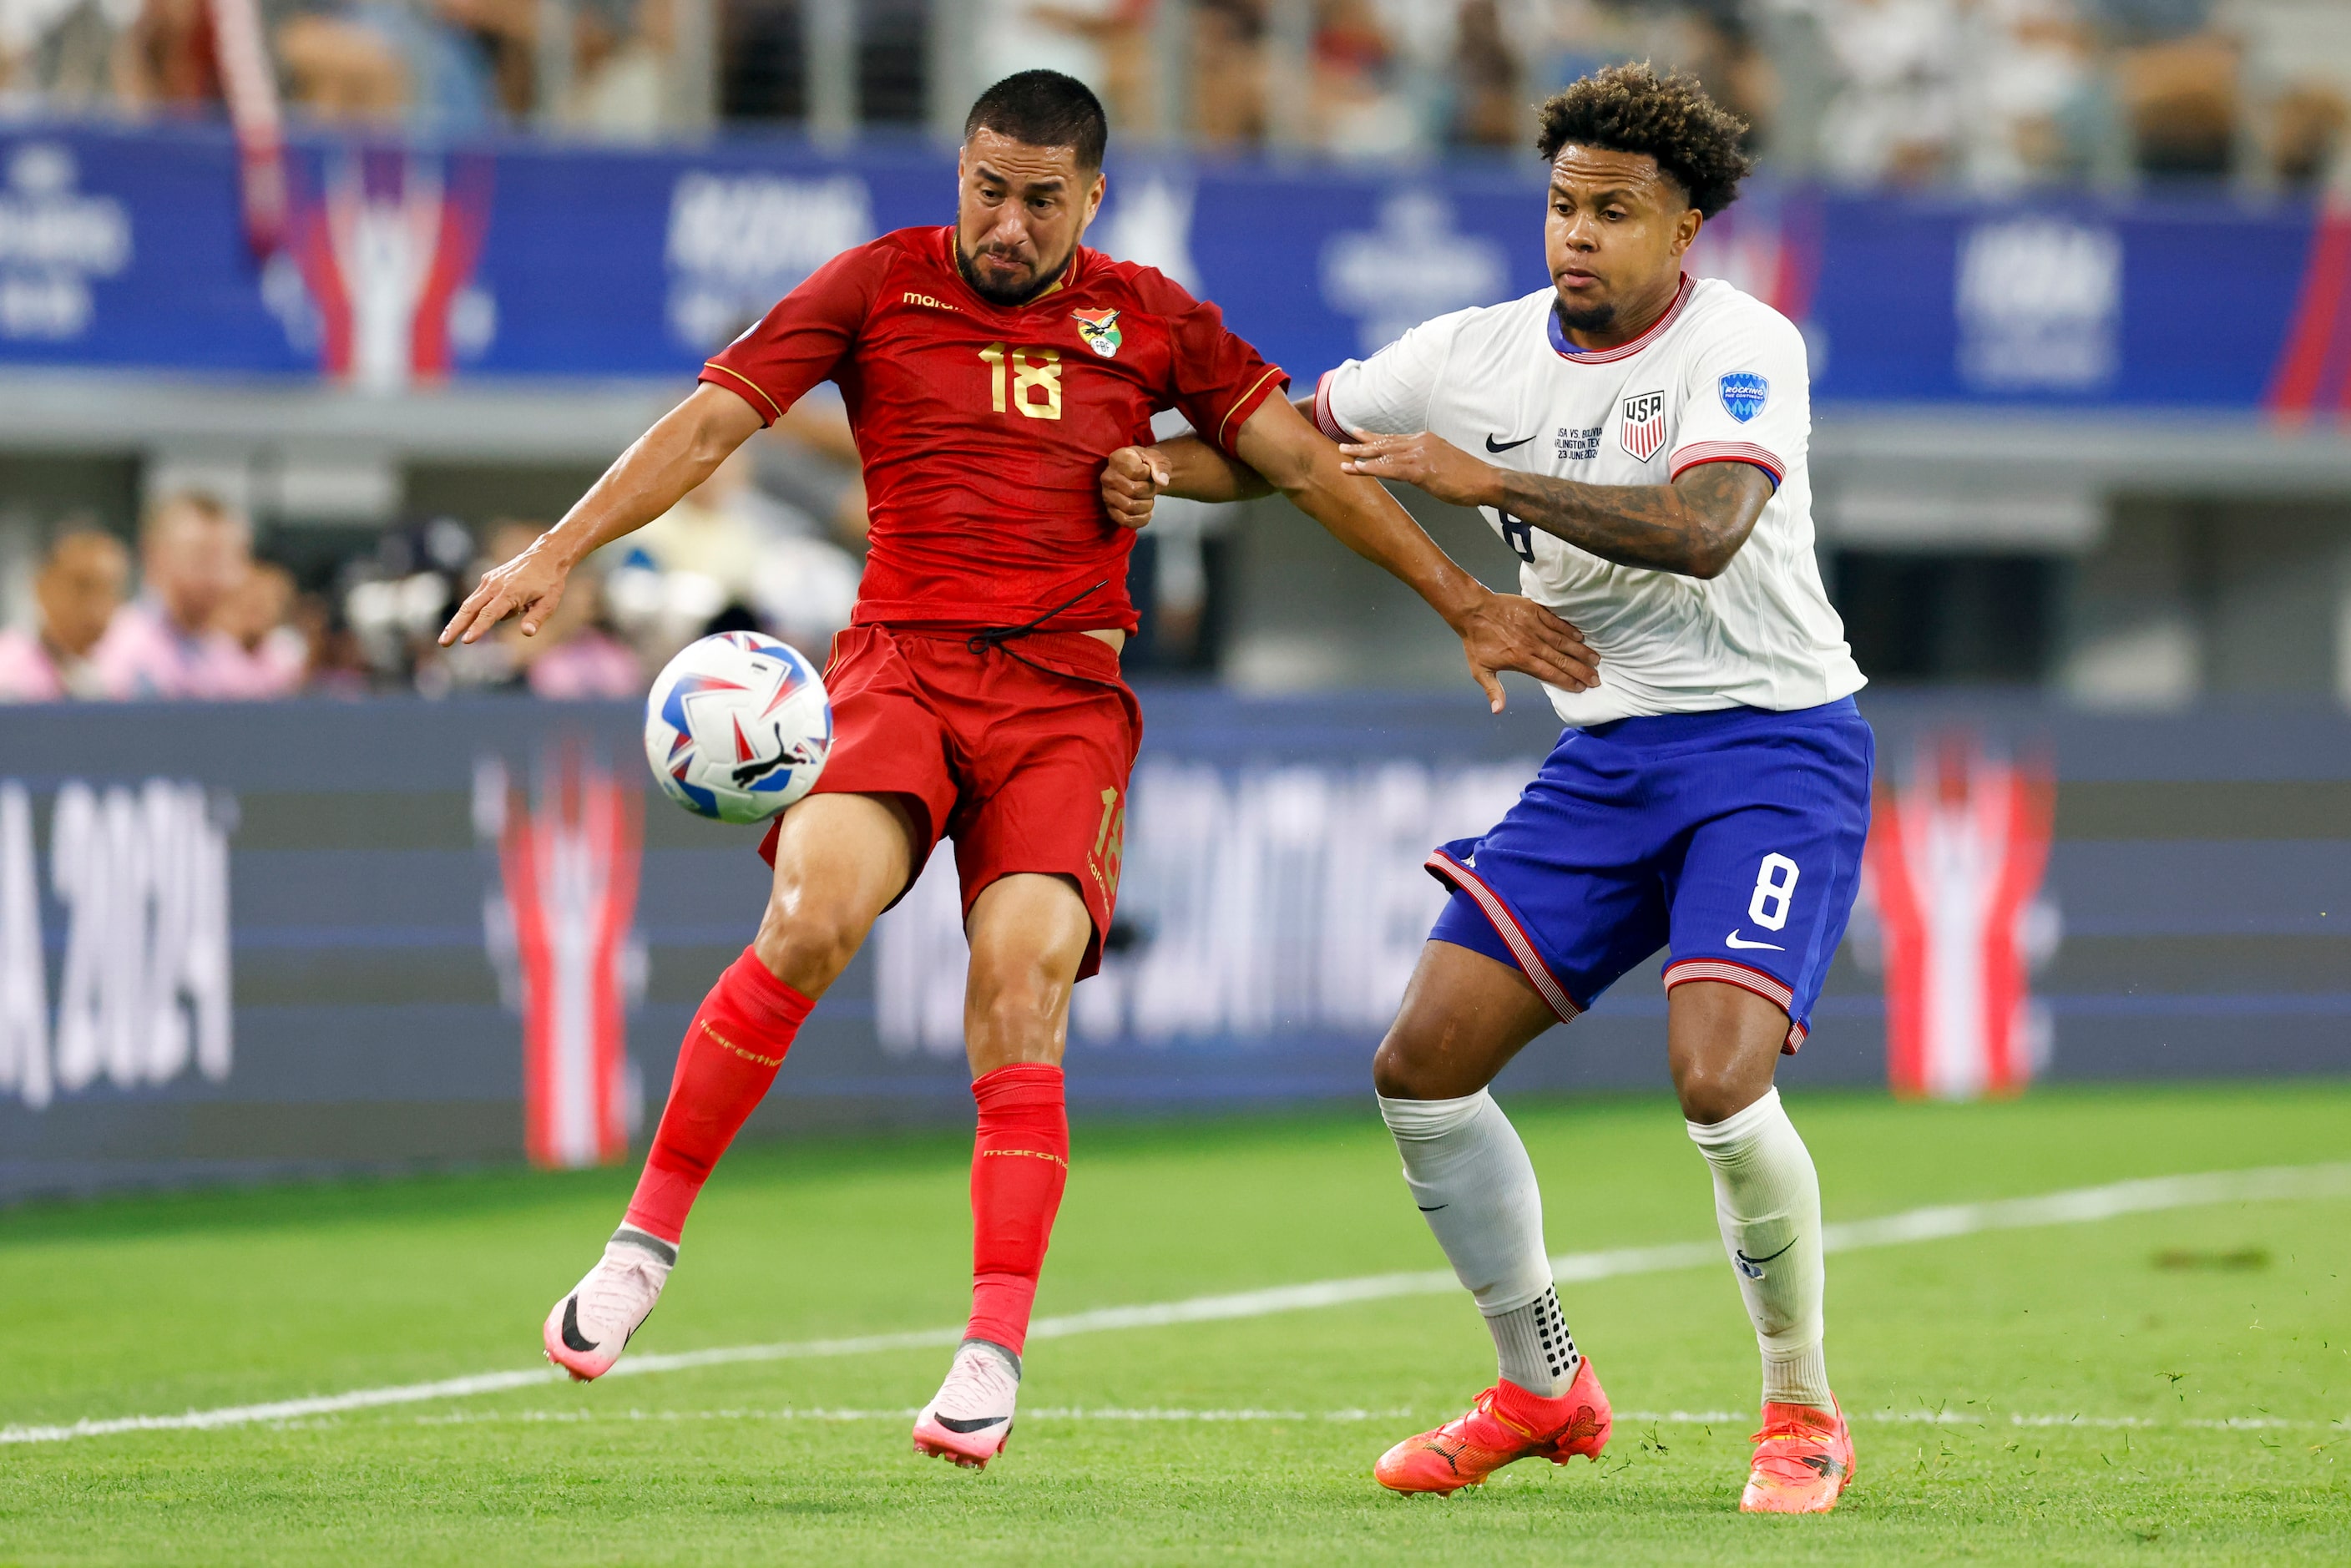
x=2075 y=1207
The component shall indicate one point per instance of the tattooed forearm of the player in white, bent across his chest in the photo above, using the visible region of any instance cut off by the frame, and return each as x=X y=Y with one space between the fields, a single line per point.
x=1689 y=528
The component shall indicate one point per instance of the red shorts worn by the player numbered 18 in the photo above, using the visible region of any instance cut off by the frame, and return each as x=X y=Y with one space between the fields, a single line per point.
x=1022 y=765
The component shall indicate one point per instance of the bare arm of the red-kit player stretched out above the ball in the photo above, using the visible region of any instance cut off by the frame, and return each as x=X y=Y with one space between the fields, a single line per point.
x=683 y=448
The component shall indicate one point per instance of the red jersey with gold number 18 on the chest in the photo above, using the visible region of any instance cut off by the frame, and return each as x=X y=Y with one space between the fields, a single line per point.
x=984 y=429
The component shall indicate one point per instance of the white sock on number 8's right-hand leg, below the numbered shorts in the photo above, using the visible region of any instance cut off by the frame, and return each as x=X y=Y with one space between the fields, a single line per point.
x=1767 y=1200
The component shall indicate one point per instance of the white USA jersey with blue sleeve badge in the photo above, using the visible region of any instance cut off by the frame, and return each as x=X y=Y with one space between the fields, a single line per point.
x=1722 y=377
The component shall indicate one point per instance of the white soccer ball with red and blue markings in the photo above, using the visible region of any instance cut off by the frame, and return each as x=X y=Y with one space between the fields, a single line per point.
x=737 y=728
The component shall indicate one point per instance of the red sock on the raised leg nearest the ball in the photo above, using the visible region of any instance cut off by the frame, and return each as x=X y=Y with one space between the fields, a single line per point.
x=732 y=1054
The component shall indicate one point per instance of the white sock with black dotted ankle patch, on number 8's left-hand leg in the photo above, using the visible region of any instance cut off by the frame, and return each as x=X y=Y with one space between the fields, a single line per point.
x=1475 y=1186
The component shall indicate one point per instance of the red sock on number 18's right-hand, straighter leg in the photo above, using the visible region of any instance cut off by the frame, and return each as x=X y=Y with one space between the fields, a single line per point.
x=1019 y=1165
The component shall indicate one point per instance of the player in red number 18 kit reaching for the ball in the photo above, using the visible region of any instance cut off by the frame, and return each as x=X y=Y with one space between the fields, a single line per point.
x=989 y=368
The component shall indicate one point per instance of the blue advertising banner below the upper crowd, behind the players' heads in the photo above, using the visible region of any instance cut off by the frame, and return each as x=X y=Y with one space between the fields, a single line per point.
x=521 y=260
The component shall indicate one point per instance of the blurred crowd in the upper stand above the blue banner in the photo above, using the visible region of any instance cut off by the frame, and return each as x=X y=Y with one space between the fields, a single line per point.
x=1861 y=91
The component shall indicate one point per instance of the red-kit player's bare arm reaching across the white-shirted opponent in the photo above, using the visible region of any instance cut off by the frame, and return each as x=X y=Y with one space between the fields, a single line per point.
x=1499 y=631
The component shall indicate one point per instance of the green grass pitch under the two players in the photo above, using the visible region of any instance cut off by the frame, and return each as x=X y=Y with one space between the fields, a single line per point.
x=2150 y=1388
